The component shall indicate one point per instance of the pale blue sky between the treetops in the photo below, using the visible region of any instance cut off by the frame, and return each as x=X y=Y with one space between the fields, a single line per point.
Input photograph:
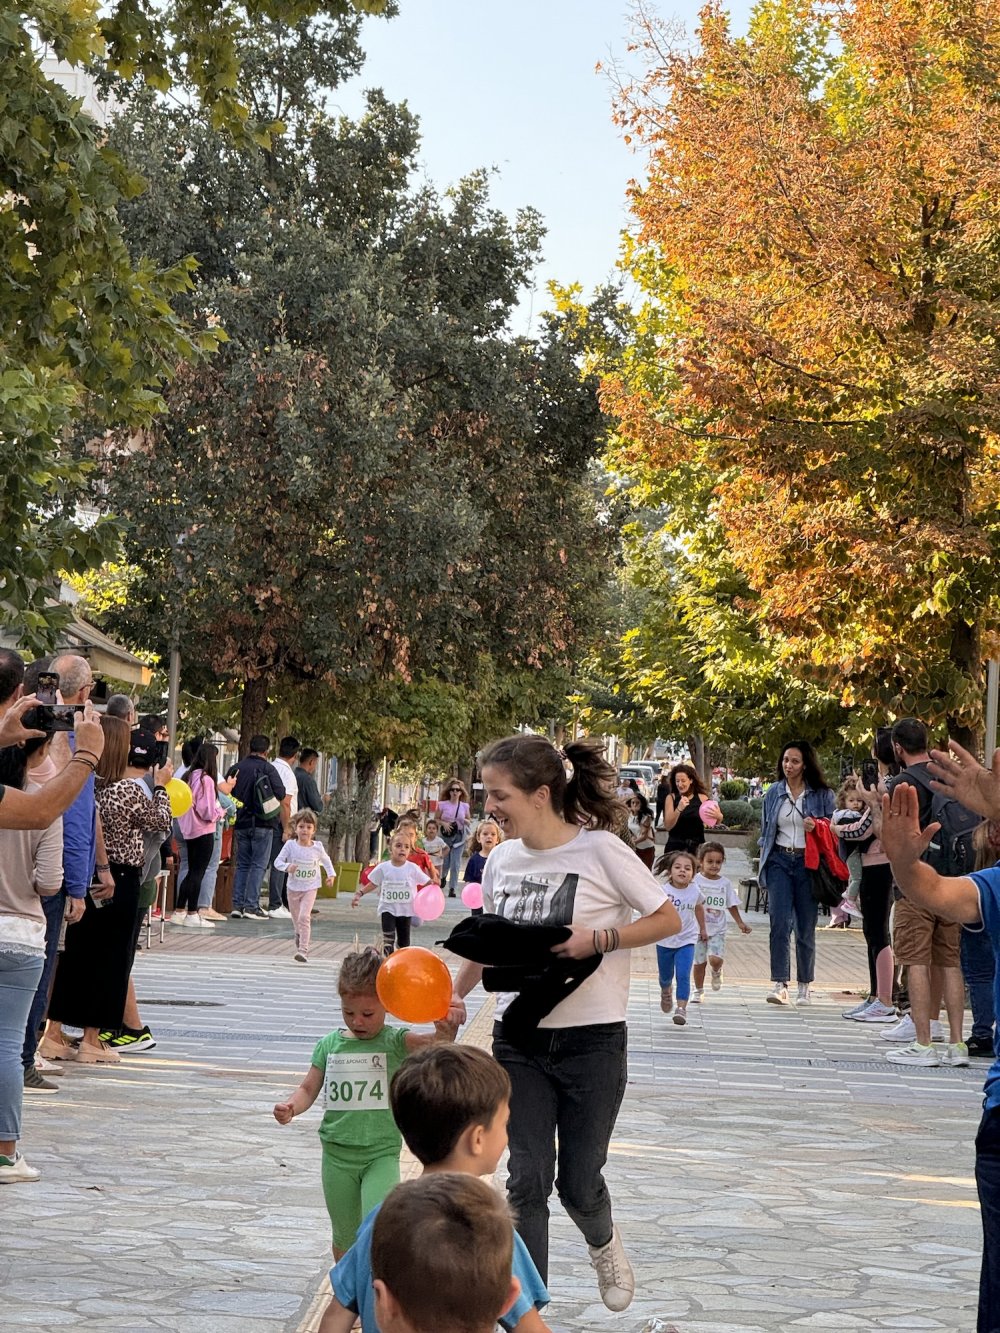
x=513 y=86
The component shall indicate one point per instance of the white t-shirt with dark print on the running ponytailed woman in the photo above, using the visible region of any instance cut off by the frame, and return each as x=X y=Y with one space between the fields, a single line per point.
x=594 y=882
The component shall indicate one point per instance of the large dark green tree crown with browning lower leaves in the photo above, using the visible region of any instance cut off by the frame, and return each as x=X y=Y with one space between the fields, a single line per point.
x=371 y=485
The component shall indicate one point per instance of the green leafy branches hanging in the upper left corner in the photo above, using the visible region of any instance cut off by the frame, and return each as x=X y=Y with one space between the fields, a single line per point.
x=83 y=326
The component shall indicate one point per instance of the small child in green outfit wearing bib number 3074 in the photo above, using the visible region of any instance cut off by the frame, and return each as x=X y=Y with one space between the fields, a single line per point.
x=354 y=1070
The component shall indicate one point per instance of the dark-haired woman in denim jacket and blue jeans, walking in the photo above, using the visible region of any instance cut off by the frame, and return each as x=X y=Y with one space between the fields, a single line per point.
x=793 y=804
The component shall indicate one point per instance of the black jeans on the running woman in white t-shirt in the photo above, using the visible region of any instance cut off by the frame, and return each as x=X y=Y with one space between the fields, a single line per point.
x=567 y=1086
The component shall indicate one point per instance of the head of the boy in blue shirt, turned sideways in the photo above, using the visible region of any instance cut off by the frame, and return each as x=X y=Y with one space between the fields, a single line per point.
x=453 y=1106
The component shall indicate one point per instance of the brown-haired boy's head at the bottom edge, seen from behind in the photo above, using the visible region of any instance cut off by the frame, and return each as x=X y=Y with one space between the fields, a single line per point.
x=442 y=1255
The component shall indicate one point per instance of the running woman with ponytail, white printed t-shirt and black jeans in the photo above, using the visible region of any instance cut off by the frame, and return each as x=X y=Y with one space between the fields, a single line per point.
x=561 y=866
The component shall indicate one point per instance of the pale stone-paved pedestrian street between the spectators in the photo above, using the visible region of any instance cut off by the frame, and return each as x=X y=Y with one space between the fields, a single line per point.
x=770 y=1170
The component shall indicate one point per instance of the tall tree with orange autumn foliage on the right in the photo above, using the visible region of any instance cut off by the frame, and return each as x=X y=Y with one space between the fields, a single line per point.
x=821 y=235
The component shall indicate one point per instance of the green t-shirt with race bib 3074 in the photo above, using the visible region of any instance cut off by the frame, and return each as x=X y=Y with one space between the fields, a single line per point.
x=357 y=1078
